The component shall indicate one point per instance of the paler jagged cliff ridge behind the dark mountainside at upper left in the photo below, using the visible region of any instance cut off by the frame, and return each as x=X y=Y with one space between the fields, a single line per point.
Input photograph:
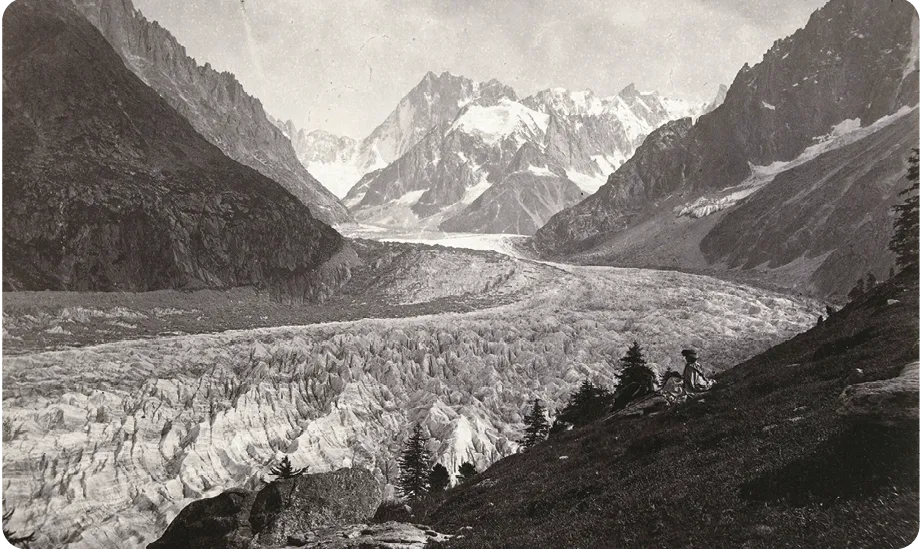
x=214 y=103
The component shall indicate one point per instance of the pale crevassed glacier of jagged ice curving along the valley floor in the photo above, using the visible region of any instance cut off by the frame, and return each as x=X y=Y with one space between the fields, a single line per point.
x=111 y=441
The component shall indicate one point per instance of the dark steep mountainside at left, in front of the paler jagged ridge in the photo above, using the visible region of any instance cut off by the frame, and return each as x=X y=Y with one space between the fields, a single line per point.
x=106 y=187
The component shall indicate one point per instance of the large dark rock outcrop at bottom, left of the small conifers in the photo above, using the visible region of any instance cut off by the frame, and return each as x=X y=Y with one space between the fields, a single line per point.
x=286 y=510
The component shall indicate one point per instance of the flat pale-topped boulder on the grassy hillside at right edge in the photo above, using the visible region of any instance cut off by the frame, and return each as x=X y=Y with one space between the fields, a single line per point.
x=890 y=401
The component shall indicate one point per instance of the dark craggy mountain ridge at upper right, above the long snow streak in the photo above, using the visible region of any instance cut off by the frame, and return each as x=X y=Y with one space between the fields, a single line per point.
x=852 y=63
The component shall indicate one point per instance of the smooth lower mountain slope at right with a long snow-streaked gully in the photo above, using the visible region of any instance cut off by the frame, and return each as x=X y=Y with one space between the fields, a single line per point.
x=813 y=225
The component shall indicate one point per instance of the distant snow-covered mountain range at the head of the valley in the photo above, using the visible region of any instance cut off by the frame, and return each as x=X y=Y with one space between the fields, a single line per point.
x=450 y=140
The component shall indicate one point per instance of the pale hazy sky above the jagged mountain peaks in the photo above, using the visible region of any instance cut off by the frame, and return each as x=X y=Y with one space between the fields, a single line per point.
x=342 y=65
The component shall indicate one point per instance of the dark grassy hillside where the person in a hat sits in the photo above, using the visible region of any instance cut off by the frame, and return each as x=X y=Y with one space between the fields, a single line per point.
x=764 y=461
